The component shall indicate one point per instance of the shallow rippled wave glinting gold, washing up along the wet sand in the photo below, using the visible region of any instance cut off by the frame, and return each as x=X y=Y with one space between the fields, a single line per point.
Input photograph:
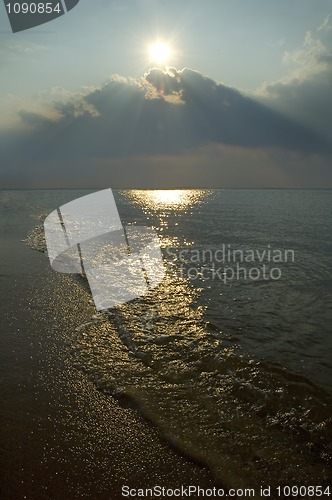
x=245 y=420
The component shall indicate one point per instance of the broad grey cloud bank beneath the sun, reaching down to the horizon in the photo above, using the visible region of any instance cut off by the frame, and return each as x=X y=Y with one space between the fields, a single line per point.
x=170 y=128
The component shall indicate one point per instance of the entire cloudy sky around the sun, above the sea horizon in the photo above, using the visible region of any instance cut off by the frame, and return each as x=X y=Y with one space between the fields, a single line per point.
x=243 y=99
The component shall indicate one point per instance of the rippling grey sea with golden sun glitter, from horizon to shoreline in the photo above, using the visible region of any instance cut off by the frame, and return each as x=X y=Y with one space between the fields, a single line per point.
x=229 y=355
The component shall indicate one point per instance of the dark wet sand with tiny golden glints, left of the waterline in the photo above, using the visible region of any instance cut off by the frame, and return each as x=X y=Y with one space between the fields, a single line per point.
x=60 y=437
